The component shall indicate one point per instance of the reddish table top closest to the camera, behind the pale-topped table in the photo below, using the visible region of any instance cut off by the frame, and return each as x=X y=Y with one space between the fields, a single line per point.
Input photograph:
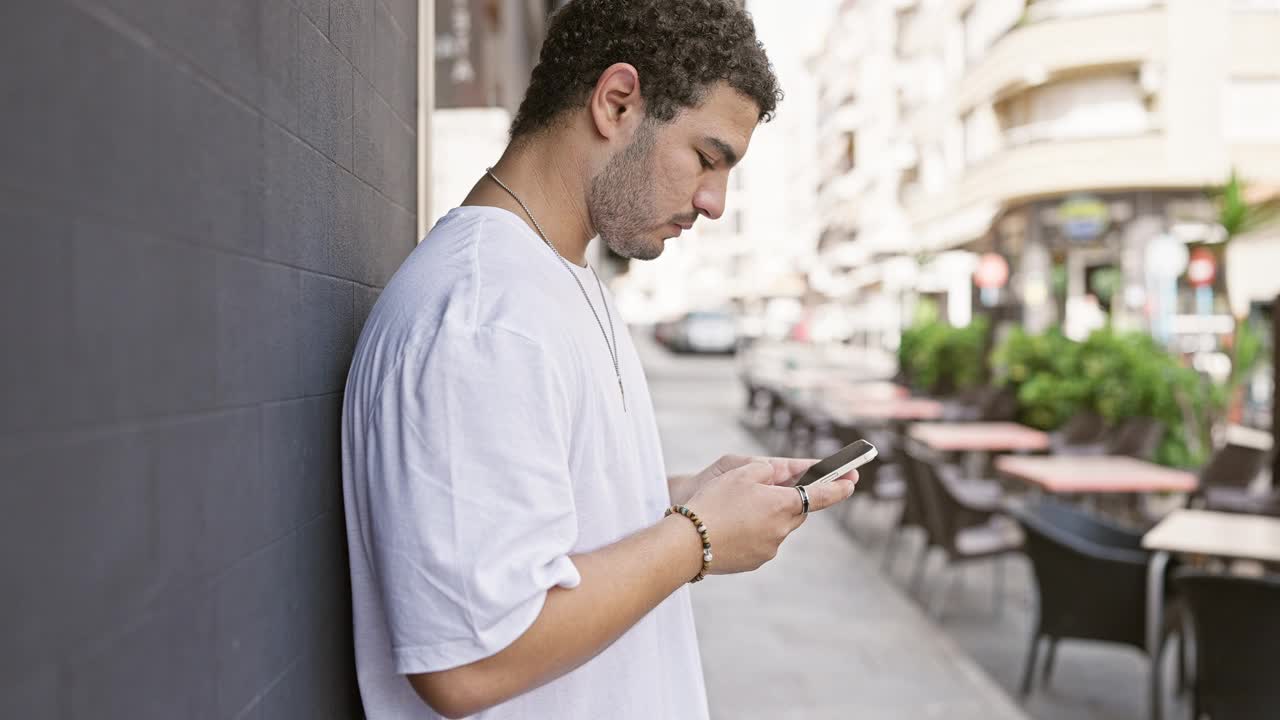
x=1107 y=473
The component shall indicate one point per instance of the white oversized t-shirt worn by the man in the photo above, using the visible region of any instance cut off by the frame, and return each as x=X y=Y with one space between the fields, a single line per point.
x=484 y=443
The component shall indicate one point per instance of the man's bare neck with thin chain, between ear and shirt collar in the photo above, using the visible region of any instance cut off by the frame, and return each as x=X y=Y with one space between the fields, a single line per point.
x=551 y=184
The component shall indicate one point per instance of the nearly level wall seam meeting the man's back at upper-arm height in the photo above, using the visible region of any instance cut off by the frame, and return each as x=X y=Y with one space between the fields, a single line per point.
x=47 y=440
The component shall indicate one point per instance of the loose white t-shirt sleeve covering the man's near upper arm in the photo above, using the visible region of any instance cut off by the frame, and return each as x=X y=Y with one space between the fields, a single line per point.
x=472 y=513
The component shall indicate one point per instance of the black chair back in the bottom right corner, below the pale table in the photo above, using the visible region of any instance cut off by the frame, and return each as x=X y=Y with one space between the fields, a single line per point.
x=1237 y=626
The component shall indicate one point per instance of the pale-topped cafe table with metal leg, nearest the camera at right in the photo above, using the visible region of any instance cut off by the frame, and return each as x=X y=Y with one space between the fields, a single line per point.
x=1206 y=534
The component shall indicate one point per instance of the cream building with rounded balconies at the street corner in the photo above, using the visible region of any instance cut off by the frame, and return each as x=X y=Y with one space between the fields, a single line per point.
x=1064 y=135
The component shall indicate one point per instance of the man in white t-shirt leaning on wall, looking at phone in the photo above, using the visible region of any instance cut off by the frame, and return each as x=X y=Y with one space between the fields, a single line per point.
x=505 y=486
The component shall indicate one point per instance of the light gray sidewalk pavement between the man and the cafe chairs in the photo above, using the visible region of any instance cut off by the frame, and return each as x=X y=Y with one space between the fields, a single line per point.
x=819 y=632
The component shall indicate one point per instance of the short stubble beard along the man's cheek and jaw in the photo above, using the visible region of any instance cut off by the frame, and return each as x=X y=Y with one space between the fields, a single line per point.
x=623 y=202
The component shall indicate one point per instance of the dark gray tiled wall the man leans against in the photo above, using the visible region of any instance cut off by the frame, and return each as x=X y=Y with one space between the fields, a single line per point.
x=199 y=204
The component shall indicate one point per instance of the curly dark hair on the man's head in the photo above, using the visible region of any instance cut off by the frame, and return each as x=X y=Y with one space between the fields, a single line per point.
x=680 y=49
